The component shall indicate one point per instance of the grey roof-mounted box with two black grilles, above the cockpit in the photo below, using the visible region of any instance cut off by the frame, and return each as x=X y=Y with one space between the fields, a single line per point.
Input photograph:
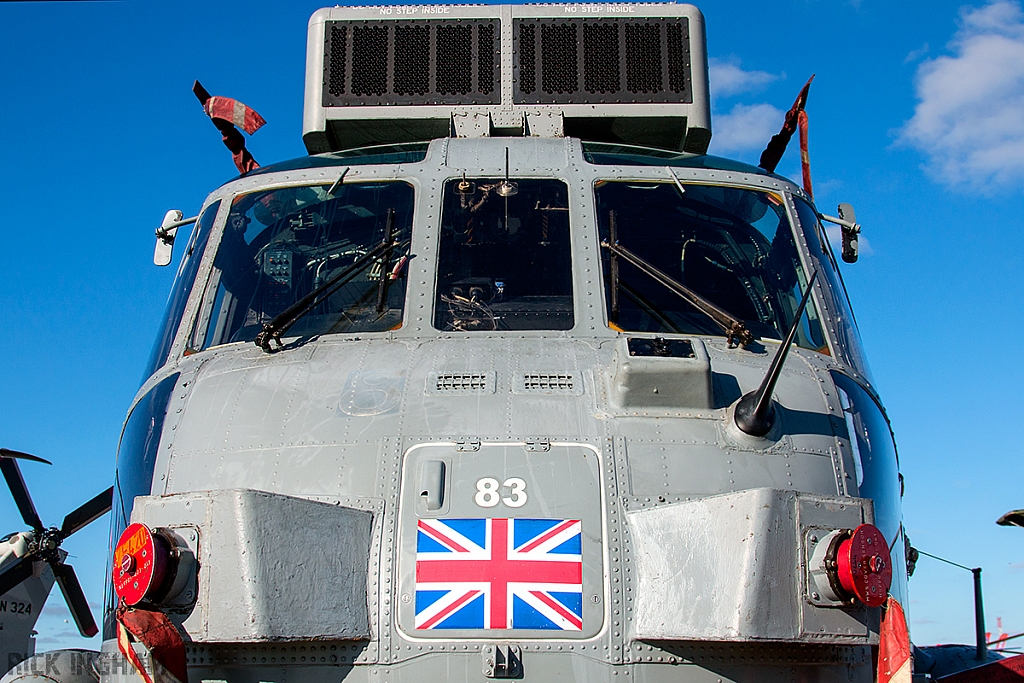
x=634 y=74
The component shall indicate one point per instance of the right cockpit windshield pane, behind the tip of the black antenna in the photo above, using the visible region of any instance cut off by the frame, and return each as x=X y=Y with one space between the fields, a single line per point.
x=734 y=247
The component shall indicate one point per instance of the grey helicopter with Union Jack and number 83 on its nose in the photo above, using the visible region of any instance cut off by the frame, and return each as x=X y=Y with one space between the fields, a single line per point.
x=507 y=379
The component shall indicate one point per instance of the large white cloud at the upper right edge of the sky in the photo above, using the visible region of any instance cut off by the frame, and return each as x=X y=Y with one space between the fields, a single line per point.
x=970 y=118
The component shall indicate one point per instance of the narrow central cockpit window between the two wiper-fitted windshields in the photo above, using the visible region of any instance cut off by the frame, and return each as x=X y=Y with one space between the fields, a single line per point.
x=504 y=259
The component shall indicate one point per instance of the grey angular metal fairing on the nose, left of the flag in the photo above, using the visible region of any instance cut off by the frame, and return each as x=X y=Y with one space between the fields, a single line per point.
x=261 y=552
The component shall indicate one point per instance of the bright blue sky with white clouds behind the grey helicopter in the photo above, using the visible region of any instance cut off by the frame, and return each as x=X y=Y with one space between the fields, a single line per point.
x=917 y=118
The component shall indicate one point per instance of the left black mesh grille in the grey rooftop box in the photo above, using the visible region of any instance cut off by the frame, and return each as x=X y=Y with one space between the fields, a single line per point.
x=414 y=62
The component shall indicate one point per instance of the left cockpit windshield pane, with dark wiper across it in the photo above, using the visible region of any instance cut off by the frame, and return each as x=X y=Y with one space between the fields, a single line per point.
x=280 y=245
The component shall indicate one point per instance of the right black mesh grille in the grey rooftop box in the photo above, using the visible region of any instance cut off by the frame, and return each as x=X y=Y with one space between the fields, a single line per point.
x=603 y=61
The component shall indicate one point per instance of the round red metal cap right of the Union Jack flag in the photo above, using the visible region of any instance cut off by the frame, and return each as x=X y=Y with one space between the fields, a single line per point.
x=865 y=567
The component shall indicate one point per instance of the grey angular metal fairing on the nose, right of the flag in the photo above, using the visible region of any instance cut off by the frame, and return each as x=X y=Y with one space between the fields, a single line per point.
x=721 y=569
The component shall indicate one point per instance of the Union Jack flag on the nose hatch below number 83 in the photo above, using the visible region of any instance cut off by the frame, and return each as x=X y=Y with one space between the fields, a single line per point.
x=499 y=574
